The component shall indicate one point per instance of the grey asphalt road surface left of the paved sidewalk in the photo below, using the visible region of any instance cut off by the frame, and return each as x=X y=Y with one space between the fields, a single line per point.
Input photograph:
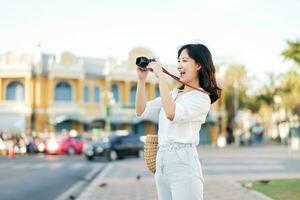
x=43 y=177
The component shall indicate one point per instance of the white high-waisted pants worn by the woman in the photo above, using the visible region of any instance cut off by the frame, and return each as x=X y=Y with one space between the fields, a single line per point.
x=178 y=173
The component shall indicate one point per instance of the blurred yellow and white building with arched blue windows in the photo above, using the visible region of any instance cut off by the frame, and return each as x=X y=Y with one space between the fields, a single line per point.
x=54 y=92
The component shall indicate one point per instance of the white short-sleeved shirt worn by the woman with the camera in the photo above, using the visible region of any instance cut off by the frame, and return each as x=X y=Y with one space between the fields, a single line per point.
x=191 y=111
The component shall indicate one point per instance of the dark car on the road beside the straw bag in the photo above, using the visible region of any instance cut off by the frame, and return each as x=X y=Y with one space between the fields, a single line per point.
x=115 y=147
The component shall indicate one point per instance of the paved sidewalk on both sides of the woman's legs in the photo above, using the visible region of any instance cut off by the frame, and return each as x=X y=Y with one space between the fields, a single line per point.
x=130 y=180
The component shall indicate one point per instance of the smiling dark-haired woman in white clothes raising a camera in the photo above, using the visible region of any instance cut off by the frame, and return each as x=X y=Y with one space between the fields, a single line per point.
x=180 y=112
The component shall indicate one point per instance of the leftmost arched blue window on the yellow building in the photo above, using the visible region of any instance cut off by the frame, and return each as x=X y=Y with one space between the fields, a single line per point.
x=15 y=91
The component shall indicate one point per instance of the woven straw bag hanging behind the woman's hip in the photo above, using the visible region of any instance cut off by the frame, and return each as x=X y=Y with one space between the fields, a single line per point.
x=150 y=150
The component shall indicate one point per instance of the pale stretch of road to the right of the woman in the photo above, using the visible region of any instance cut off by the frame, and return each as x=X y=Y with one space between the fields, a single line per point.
x=249 y=163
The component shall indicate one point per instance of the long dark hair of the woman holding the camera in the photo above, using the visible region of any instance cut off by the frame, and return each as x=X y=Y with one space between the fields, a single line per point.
x=206 y=74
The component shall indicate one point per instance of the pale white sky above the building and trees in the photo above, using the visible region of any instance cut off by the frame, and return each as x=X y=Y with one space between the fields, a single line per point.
x=248 y=32
